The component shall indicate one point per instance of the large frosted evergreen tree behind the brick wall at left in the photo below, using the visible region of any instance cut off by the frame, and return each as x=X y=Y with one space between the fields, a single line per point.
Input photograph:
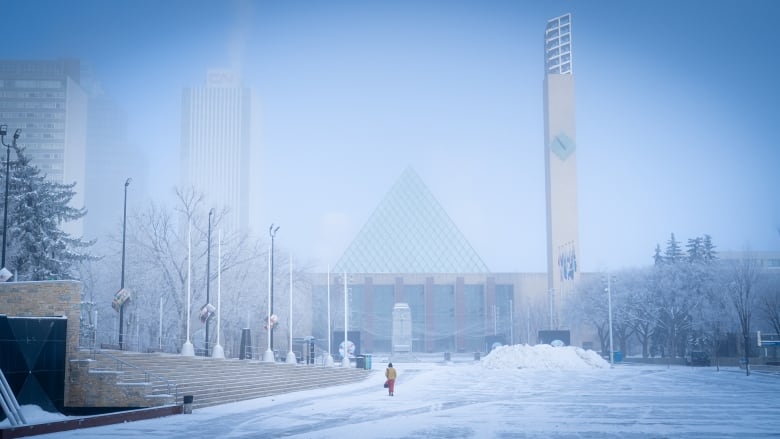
x=37 y=248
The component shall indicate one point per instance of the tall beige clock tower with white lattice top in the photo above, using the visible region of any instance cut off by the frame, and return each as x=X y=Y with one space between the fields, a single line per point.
x=560 y=157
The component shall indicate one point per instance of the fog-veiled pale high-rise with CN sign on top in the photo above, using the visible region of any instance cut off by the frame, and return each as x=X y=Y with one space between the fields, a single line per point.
x=215 y=145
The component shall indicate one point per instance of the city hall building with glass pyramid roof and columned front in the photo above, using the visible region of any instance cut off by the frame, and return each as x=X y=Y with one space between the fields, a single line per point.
x=409 y=251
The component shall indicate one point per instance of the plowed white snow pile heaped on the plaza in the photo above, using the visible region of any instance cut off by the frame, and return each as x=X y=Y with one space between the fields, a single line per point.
x=542 y=356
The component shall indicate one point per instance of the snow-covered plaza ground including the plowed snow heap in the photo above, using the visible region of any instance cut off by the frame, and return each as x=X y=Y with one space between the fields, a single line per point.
x=515 y=392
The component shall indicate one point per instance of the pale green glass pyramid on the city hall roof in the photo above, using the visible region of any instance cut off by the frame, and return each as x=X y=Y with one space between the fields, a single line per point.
x=409 y=232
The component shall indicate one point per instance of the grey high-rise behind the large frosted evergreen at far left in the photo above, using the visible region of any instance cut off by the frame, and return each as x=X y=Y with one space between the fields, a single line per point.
x=44 y=99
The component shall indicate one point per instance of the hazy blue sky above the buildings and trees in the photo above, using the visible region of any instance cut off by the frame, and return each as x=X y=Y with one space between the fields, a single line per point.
x=677 y=109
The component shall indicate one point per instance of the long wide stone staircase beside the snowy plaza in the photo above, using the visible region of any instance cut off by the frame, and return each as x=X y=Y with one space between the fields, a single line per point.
x=214 y=381
